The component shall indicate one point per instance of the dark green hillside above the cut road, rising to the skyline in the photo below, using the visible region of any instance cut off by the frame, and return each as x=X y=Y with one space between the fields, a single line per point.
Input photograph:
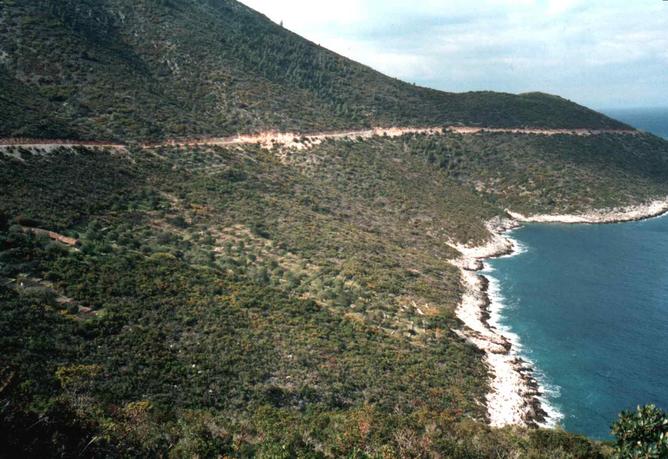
x=148 y=69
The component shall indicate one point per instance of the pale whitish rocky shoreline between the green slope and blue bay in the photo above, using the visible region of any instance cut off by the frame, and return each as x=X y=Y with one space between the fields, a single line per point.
x=515 y=394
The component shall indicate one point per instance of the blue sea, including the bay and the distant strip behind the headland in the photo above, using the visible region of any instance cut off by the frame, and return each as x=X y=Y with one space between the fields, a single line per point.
x=587 y=305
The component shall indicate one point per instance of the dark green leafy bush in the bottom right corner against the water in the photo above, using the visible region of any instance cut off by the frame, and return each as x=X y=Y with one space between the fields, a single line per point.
x=641 y=434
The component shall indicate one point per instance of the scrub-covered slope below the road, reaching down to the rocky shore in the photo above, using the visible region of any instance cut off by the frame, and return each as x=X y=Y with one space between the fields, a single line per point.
x=271 y=303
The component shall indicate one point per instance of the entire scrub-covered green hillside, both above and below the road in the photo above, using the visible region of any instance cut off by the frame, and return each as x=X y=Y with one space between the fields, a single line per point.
x=240 y=301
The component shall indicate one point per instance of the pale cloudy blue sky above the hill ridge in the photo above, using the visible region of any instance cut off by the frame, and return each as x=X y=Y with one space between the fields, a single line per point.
x=601 y=53
